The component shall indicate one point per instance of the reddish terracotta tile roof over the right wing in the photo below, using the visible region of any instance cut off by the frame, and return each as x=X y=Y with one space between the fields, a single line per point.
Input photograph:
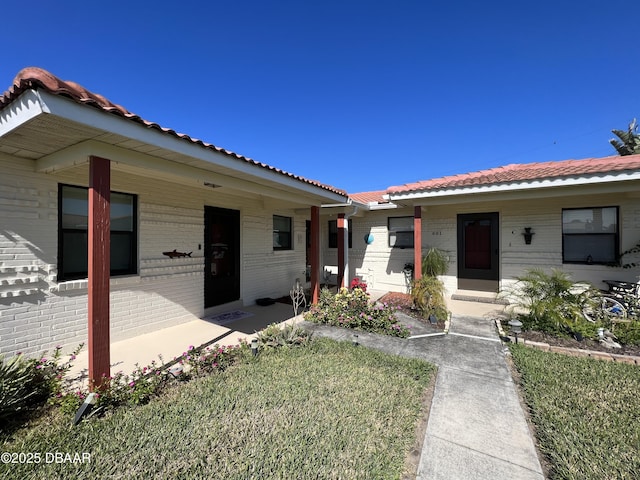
x=522 y=173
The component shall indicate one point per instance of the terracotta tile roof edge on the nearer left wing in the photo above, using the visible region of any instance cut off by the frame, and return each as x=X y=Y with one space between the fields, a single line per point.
x=34 y=78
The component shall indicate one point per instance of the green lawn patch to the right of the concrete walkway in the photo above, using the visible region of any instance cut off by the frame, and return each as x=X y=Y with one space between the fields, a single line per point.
x=585 y=413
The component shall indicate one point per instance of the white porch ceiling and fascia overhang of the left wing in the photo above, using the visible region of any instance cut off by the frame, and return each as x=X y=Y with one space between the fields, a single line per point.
x=57 y=133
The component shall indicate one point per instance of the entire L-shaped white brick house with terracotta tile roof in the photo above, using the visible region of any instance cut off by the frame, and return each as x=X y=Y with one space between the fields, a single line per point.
x=112 y=226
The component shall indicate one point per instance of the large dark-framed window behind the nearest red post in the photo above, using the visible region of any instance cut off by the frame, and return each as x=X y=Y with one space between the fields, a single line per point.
x=73 y=220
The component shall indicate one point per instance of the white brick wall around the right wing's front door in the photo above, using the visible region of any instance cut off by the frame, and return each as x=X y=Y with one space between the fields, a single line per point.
x=439 y=225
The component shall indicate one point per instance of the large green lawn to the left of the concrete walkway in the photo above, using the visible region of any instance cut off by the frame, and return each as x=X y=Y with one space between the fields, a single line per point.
x=329 y=410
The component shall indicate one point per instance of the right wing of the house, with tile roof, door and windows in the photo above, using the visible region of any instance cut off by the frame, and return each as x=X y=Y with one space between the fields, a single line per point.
x=576 y=215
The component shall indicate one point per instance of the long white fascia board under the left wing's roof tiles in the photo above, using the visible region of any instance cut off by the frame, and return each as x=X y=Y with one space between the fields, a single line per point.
x=113 y=123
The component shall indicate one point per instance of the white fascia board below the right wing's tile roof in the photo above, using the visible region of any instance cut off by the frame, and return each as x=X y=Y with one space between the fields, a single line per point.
x=518 y=187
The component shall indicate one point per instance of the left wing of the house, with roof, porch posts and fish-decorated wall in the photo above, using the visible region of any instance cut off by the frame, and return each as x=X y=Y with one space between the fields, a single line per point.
x=112 y=226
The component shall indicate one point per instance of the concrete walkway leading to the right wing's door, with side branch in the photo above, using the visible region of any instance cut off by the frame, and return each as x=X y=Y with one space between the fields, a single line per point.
x=477 y=428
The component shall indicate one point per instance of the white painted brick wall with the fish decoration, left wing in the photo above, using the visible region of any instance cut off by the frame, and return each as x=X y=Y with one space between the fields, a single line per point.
x=37 y=313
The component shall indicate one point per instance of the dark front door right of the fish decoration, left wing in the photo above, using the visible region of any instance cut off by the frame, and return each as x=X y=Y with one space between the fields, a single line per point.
x=221 y=256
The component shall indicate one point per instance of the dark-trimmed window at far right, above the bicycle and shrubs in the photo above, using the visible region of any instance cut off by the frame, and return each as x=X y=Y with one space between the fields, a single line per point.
x=590 y=235
